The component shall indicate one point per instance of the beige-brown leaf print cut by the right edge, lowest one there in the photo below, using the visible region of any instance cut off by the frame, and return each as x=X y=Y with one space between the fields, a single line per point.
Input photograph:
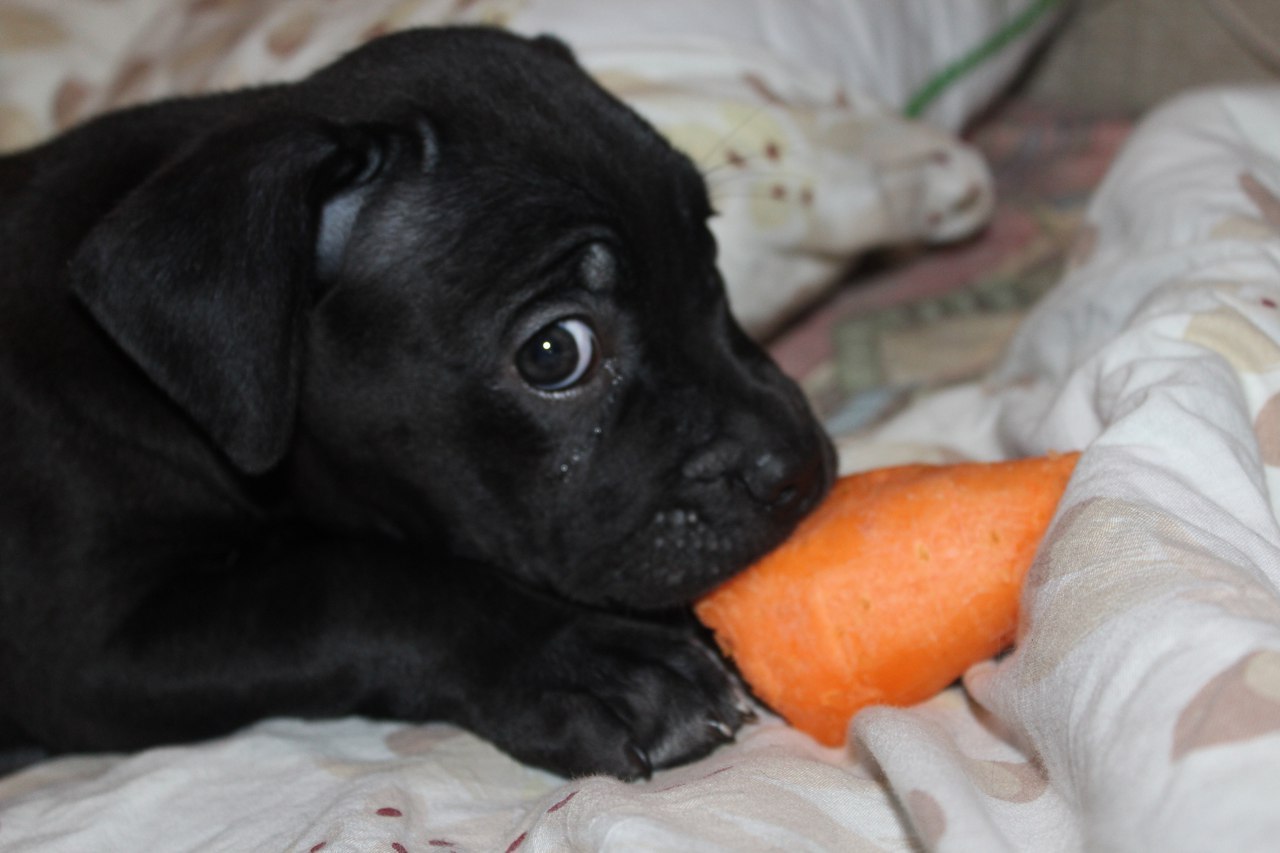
x=1240 y=704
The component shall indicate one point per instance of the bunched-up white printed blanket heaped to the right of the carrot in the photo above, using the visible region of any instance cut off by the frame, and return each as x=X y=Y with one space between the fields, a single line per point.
x=1141 y=710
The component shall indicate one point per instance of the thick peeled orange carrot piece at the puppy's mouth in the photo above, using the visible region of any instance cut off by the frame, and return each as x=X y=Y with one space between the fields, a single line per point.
x=898 y=583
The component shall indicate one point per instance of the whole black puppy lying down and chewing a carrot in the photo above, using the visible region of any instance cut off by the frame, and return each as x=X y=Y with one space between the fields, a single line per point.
x=409 y=390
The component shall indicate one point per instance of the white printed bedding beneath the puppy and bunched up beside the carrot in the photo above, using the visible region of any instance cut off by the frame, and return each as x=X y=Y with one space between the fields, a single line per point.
x=1141 y=710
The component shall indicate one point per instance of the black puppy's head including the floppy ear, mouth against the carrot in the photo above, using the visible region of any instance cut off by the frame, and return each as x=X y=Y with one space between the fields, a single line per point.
x=486 y=299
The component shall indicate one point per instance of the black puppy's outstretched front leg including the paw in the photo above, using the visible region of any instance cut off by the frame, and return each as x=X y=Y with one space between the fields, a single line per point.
x=324 y=628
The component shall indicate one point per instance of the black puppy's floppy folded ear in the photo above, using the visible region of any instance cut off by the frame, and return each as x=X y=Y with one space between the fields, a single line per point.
x=202 y=275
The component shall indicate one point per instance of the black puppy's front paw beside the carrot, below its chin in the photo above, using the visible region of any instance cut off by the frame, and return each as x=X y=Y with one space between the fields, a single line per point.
x=621 y=697
